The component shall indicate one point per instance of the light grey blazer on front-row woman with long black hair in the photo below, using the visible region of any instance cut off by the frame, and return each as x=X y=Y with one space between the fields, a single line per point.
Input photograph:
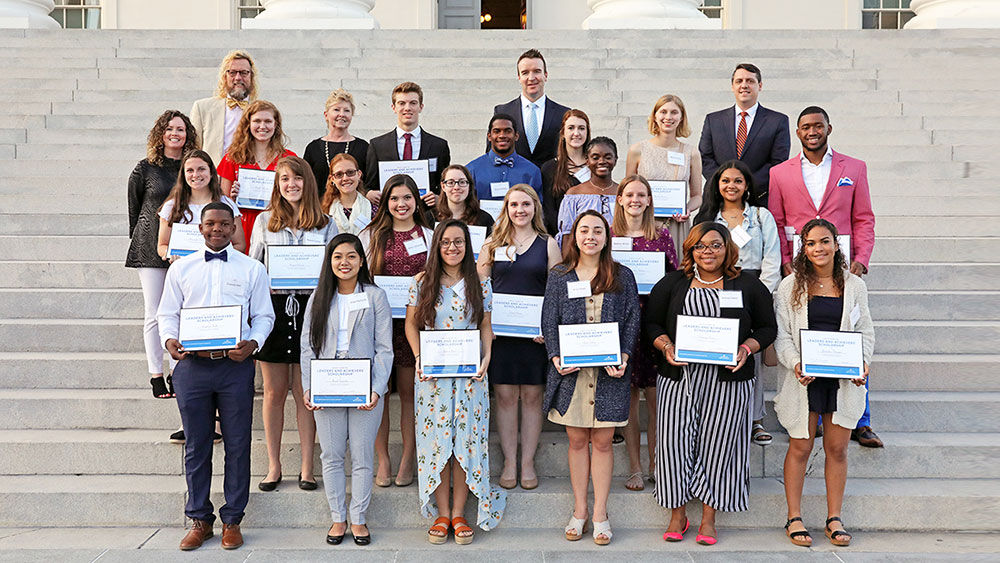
x=370 y=336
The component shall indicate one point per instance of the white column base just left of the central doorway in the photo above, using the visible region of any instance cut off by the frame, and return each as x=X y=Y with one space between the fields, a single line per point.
x=314 y=14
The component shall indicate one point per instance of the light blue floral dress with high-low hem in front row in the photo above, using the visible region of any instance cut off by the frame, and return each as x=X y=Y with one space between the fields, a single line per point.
x=453 y=418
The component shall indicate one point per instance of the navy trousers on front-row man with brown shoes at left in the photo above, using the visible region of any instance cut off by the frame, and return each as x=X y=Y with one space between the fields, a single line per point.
x=203 y=386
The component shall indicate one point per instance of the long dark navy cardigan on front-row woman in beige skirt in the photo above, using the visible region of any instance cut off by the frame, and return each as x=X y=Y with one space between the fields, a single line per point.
x=612 y=394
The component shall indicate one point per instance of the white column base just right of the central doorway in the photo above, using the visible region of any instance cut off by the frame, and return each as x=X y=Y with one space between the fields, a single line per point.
x=648 y=14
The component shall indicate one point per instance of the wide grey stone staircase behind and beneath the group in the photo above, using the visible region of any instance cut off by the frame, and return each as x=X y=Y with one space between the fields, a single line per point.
x=81 y=431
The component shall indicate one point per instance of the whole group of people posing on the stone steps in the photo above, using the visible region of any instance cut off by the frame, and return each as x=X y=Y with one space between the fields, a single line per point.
x=777 y=243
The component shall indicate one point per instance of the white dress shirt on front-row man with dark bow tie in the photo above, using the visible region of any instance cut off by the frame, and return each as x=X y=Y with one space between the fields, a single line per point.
x=193 y=282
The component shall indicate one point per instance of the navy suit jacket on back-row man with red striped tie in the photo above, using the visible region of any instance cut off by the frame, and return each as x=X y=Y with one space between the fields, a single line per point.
x=767 y=144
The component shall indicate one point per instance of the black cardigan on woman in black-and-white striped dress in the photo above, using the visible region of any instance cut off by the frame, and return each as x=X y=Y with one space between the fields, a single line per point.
x=666 y=301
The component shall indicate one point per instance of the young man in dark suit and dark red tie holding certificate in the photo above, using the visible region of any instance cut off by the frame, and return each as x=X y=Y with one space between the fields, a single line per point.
x=408 y=141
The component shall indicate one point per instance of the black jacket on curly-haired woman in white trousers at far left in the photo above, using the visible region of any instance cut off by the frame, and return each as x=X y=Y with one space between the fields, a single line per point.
x=148 y=186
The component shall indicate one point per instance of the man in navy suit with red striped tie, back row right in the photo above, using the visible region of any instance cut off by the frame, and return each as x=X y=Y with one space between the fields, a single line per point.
x=747 y=131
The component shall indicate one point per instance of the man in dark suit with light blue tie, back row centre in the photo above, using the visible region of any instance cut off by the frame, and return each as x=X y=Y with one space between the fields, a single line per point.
x=537 y=119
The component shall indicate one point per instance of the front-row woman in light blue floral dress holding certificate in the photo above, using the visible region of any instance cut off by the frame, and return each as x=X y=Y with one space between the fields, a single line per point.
x=447 y=302
